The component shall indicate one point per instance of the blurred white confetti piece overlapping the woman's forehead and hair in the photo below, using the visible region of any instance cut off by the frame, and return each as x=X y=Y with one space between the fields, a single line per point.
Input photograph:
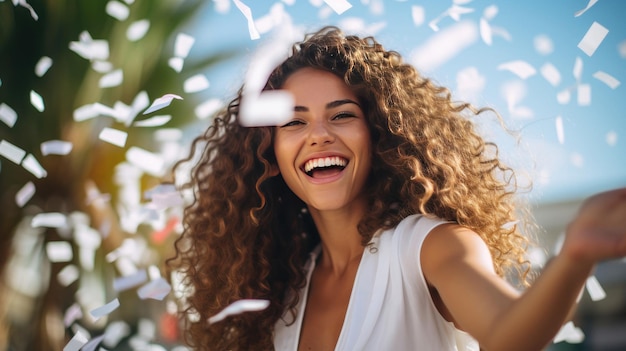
x=271 y=108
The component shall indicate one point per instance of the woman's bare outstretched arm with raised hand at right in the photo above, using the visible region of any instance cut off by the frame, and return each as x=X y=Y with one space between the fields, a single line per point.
x=457 y=263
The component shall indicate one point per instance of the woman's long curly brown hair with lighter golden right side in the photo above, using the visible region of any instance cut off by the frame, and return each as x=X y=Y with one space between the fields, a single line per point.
x=246 y=235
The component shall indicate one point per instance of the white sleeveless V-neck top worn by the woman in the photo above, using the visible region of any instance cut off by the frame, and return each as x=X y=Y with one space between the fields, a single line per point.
x=390 y=306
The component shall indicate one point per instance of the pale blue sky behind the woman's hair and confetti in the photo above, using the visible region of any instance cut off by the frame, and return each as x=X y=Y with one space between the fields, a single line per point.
x=590 y=153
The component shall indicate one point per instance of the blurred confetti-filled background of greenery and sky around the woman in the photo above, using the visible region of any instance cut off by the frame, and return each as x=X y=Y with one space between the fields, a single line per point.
x=99 y=98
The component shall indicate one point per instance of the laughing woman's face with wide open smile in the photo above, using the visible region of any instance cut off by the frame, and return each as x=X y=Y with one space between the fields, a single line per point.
x=324 y=152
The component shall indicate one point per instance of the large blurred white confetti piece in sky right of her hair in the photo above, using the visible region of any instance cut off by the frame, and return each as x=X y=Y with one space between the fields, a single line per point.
x=444 y=45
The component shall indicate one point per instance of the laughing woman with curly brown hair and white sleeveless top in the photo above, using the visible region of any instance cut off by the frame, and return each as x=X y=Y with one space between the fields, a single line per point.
x=375 y=219
